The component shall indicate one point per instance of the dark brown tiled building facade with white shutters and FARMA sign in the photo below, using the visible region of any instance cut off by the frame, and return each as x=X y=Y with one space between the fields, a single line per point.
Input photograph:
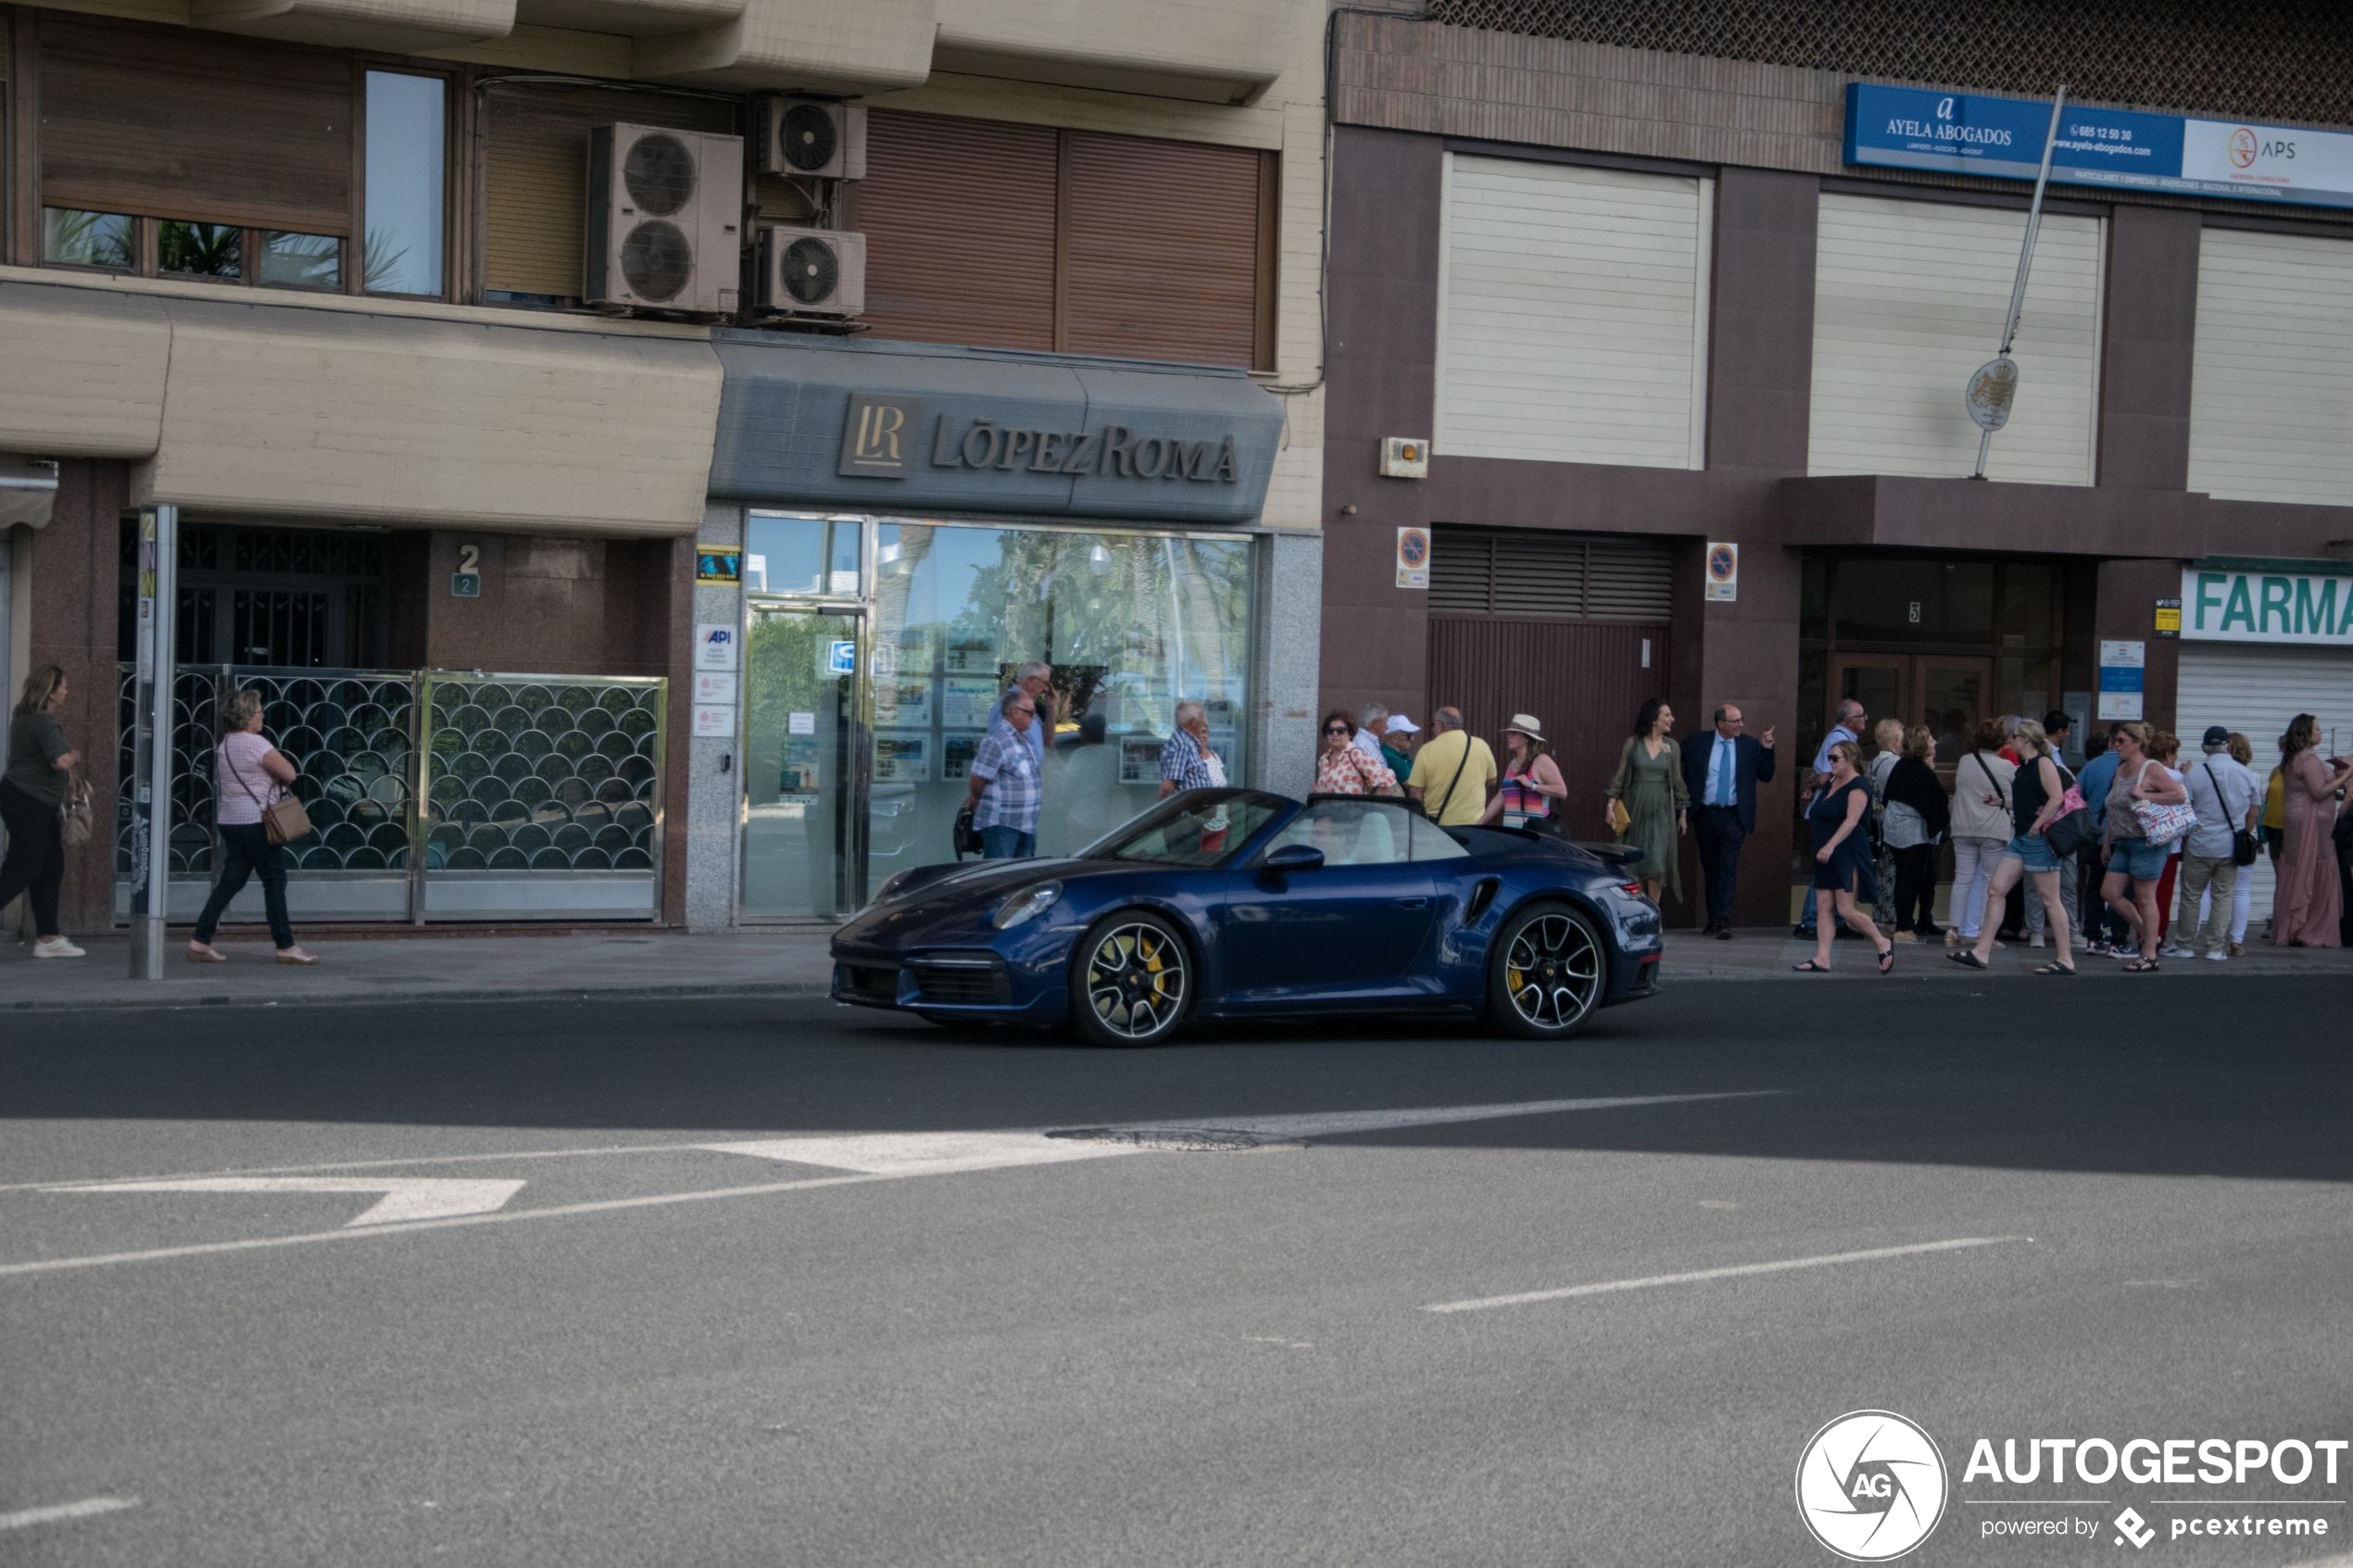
x=1686 y=319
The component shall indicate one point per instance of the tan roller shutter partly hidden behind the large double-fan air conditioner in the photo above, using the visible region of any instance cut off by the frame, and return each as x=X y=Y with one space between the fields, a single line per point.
x=535 y=175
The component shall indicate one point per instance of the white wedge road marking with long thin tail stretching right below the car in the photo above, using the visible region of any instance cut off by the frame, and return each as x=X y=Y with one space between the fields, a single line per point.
x=940 y=1153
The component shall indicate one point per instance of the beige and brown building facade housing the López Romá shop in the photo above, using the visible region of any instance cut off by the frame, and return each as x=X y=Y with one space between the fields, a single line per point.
x=472 y=455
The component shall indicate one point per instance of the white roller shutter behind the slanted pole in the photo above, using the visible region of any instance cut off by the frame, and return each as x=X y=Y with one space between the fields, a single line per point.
x=1909 y=300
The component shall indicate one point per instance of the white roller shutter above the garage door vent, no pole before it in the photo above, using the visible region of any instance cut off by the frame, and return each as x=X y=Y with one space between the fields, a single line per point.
x=1573 y=314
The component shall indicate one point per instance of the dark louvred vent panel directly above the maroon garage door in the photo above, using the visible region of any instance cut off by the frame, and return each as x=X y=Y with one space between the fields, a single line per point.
x=1533 y=575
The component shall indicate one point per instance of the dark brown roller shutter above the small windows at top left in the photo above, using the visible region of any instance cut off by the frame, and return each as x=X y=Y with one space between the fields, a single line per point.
x=192 y=126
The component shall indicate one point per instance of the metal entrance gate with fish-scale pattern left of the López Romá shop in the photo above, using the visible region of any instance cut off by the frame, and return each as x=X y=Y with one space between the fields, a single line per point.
x=434 y=796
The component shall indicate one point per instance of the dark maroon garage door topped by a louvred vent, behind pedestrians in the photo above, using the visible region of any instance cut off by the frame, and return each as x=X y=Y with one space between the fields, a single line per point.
x=1571 y=629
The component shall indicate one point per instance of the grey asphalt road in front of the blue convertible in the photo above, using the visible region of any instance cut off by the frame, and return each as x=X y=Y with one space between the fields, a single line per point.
x=935 y=1336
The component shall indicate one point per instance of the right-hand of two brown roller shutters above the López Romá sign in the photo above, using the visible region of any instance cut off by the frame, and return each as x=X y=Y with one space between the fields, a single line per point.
x=1164 y=250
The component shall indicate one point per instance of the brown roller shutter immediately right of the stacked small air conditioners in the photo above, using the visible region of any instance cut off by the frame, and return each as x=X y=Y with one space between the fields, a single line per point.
x=959 y=220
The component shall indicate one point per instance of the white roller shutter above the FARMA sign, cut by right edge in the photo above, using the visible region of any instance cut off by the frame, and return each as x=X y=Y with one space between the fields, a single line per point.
x=2272 y=396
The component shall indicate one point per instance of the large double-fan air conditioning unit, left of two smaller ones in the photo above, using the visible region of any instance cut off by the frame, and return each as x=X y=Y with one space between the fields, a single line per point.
x=665 y=220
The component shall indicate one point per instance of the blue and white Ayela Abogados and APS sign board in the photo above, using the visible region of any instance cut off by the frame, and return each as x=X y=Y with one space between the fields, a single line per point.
x=1957 y=133
